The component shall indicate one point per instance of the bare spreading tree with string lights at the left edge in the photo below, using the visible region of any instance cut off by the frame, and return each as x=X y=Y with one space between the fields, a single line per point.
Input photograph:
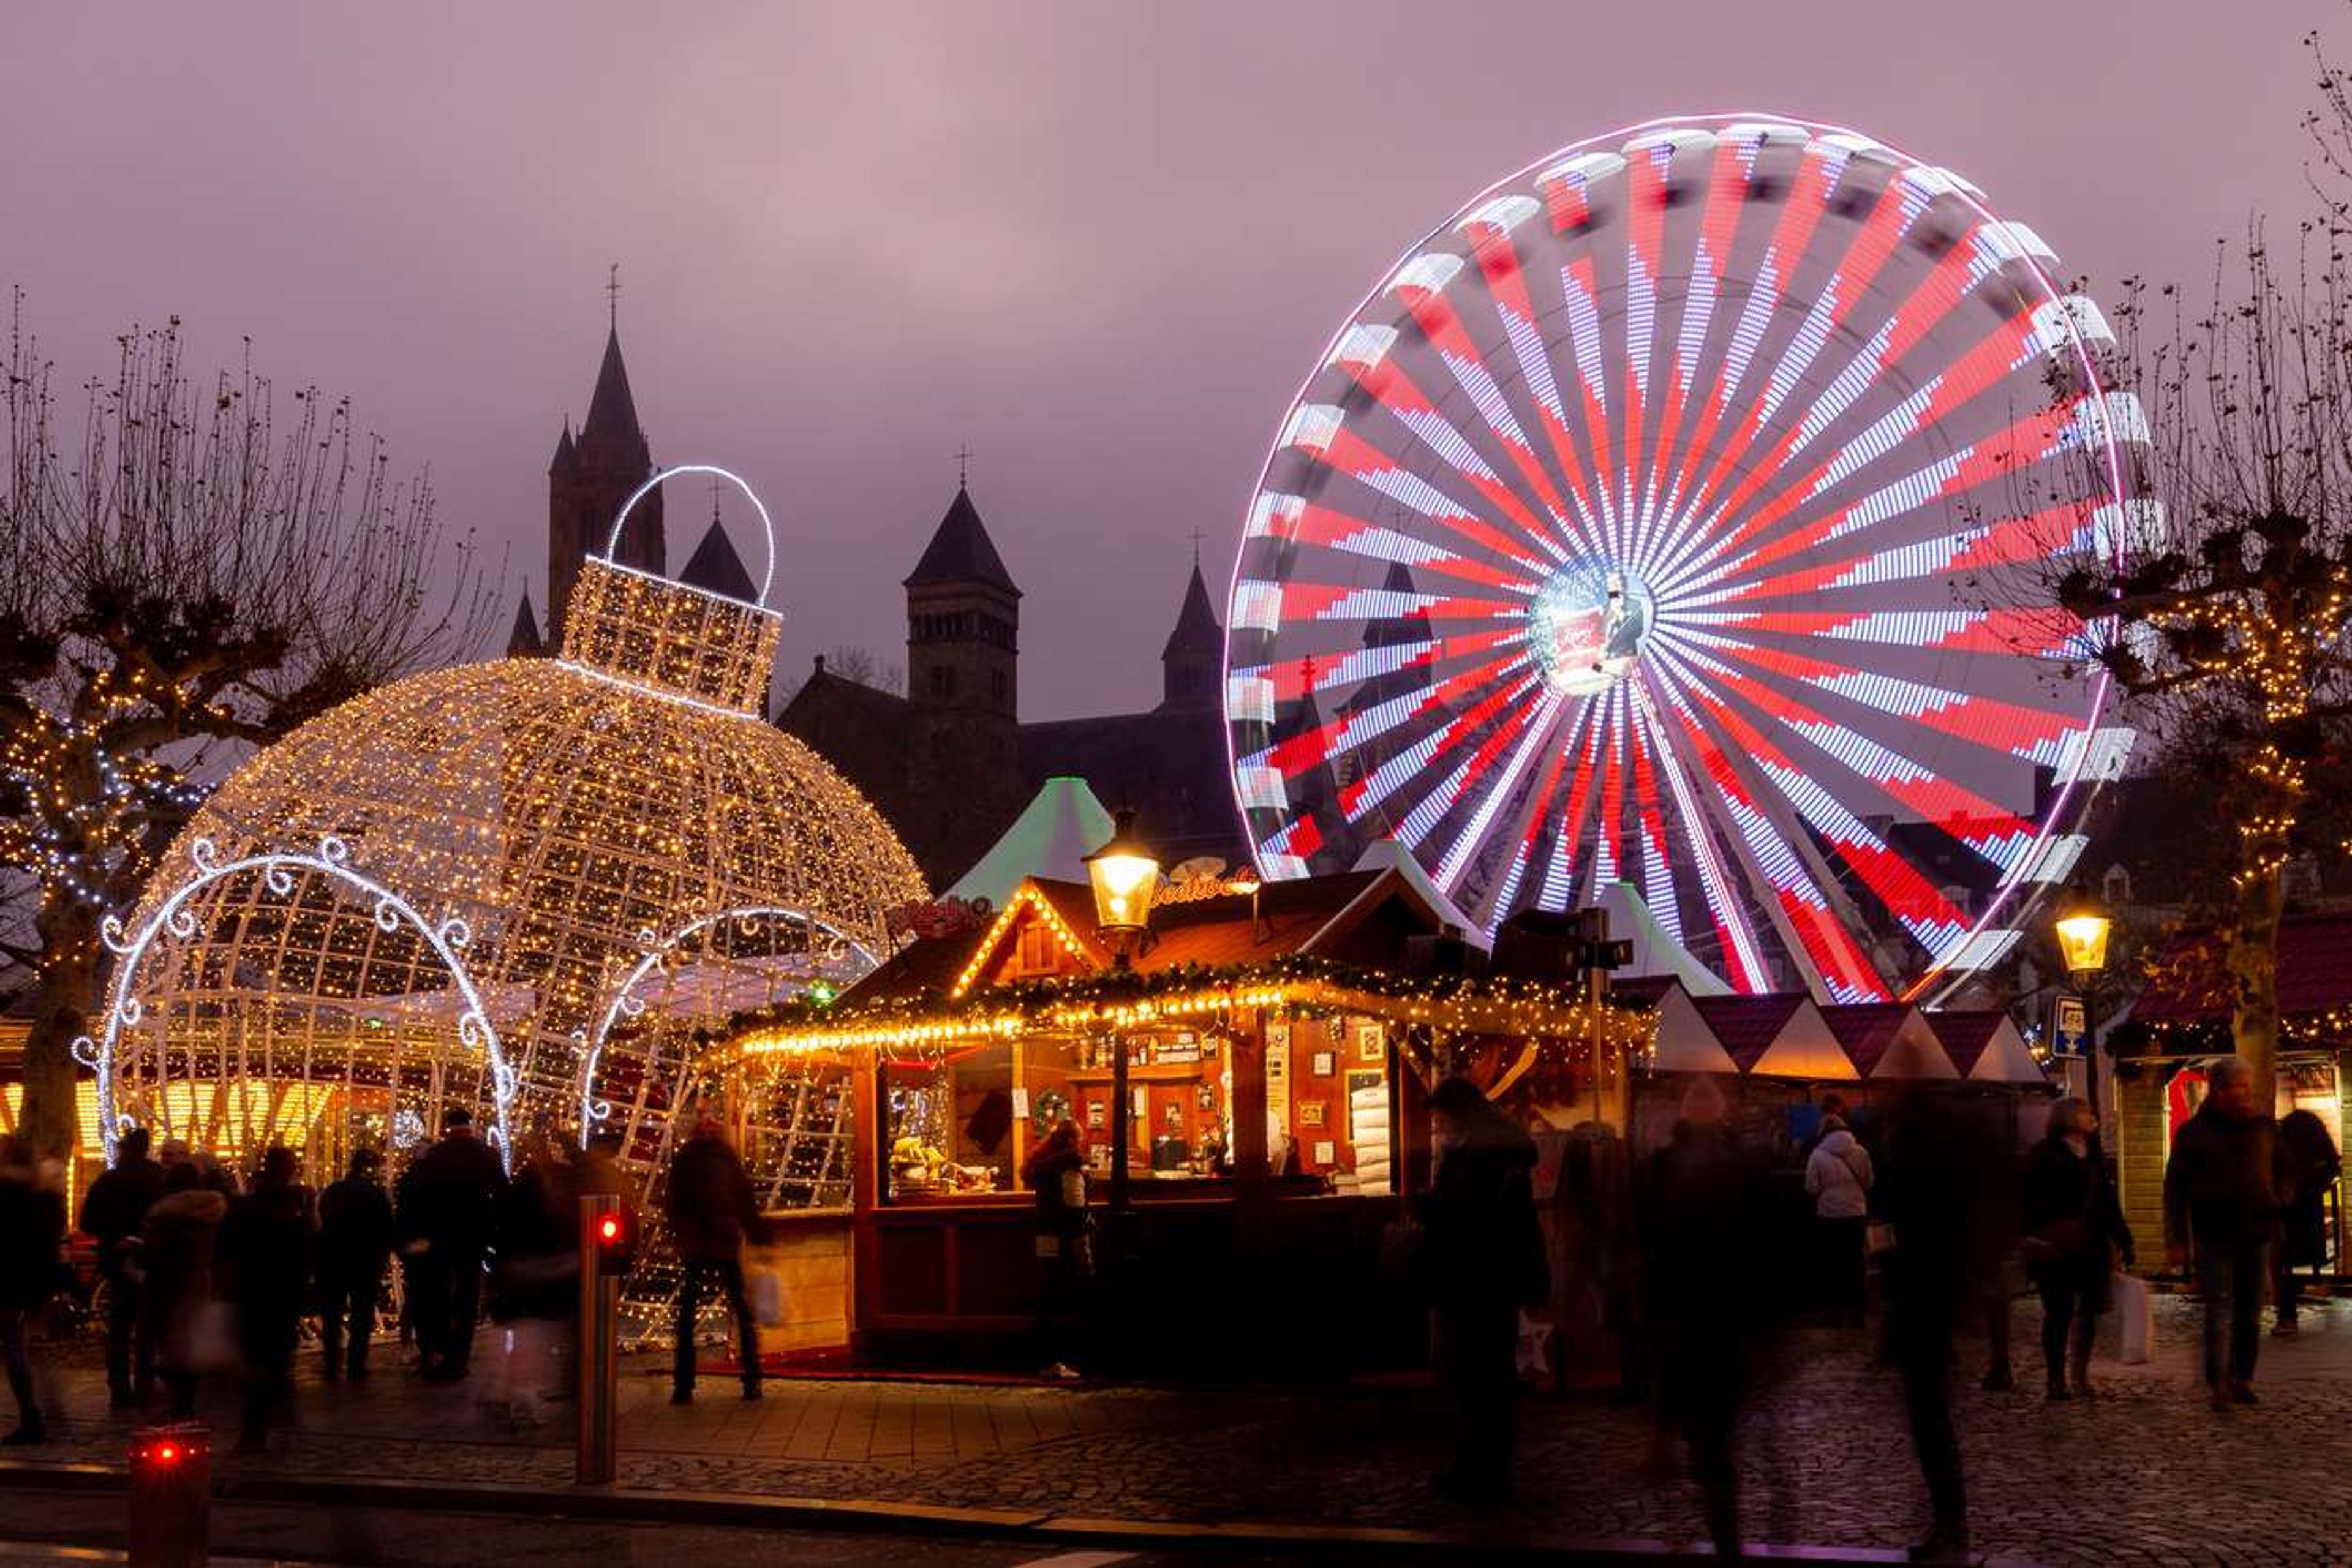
x=185 y=579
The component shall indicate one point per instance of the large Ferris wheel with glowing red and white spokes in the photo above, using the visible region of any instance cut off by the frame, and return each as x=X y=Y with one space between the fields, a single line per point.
x=1671 y=516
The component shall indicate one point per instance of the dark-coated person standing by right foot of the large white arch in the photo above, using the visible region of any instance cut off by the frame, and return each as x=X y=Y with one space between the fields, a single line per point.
x=453 y=1200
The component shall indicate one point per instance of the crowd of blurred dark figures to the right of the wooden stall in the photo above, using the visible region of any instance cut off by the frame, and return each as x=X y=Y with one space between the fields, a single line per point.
x=1939 y=1200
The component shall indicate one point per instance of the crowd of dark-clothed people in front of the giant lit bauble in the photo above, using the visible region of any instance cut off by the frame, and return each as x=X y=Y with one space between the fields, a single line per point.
x=211 y=1278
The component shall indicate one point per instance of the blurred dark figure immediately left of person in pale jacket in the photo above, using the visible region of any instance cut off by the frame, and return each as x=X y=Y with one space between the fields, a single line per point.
x=1704 y=1296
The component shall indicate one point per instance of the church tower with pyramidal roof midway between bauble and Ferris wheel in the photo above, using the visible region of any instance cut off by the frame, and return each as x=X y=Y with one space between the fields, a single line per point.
x=963 y=634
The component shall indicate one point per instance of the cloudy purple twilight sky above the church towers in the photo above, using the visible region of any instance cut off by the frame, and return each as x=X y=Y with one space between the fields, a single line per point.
x=1097 y=241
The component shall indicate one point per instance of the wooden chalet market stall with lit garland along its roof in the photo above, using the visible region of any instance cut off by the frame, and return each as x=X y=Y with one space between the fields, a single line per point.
x=1281 y=1047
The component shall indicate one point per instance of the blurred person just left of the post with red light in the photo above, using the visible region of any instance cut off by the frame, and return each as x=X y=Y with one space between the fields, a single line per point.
x=535 y=1292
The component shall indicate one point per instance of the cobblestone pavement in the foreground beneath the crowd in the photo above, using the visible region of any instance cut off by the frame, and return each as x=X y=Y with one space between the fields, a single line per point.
x=2144 y=1475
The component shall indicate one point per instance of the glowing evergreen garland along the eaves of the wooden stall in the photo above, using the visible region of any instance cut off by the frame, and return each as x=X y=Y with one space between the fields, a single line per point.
x=1302 y=986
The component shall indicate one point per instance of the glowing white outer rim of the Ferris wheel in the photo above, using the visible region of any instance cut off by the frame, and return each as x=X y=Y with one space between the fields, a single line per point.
x=2073 y=777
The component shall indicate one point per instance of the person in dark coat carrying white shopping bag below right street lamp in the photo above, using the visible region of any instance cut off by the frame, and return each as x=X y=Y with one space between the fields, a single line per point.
x=2073 y=1240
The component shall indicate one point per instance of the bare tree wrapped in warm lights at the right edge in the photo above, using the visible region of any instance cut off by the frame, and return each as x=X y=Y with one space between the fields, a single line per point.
x=2224 y=605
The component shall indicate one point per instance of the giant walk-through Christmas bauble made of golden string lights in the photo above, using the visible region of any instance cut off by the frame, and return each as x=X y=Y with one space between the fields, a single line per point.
x=528 y=887
